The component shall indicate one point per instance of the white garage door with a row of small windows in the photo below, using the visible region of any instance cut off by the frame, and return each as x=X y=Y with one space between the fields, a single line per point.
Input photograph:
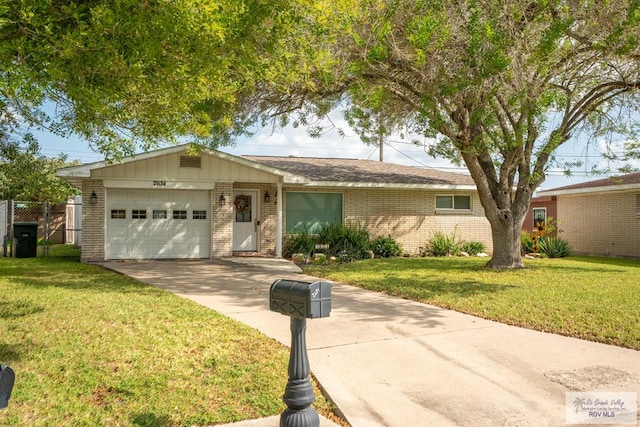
x=147 y=224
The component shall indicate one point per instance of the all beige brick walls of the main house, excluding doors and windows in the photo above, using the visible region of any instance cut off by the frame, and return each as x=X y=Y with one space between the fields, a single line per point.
x=409 y=216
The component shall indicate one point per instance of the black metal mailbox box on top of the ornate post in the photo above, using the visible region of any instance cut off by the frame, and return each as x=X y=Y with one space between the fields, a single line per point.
x=300 y=299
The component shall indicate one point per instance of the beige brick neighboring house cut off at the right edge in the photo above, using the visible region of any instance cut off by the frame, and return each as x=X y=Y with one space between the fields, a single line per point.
x=601 y=217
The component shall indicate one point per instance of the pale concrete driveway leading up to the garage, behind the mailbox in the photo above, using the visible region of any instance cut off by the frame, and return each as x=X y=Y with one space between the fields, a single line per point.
x=386 y=361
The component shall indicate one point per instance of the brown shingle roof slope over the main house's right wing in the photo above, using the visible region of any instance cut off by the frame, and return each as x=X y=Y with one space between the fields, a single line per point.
x=324 y=171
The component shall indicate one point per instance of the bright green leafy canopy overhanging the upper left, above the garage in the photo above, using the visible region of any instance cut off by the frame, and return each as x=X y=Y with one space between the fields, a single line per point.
x=127 y=75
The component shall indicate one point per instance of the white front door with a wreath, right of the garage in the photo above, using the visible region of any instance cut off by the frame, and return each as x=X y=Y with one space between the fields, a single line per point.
x=245 y=221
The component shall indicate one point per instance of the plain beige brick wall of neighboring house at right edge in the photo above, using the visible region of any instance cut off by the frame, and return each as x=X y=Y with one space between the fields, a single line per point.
x=601 y=224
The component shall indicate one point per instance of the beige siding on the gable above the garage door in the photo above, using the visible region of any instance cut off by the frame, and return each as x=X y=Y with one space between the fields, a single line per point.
x=167 y=167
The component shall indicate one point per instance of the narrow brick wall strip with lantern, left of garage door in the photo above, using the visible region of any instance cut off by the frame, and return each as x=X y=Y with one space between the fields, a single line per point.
x=92 y=222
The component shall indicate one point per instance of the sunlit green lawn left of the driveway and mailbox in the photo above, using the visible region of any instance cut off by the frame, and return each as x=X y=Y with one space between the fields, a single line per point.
x=91 y=348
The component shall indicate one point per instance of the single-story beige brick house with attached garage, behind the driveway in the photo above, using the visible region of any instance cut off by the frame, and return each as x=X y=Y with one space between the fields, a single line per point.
x=169 y=204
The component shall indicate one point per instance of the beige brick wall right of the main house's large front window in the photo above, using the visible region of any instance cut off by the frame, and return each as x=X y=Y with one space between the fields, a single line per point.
x=410 y=216
